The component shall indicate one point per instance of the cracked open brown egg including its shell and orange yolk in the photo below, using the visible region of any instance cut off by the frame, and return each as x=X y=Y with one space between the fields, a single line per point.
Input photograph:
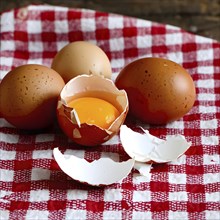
x=91 y=109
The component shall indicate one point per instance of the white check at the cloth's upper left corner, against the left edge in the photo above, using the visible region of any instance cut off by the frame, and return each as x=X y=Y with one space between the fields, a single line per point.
x=7 y=22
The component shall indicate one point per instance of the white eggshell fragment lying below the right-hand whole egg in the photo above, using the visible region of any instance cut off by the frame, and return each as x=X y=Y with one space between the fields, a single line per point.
x=146 y=147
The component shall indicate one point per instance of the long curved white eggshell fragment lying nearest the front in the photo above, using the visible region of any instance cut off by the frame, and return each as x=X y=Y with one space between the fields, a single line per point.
x=104 y=171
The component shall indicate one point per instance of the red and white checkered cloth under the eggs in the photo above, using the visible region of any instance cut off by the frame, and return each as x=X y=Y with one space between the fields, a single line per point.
x=32 y=185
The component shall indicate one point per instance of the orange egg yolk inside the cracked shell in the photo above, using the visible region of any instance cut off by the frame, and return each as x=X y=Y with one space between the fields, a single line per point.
x=94 y=111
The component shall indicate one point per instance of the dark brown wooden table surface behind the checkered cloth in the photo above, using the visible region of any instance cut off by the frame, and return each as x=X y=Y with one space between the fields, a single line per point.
x=201 y=17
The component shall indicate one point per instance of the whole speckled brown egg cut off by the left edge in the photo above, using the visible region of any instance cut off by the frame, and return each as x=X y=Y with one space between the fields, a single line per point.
x=29 y=96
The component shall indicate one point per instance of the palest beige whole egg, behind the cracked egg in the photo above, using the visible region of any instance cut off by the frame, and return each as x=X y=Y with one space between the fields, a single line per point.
x=79 y=58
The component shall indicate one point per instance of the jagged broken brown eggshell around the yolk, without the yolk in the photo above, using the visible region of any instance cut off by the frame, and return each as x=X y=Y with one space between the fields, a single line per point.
x=96 y=87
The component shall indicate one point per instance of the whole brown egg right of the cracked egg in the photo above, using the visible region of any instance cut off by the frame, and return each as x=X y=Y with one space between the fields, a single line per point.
x=159 y=90
